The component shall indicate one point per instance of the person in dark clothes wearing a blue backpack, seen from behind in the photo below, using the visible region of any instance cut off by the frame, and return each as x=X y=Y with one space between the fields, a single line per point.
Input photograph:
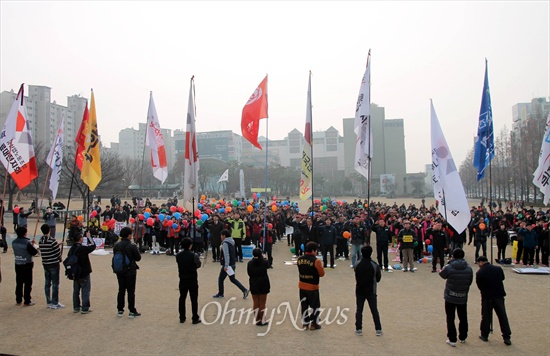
x=127 y=277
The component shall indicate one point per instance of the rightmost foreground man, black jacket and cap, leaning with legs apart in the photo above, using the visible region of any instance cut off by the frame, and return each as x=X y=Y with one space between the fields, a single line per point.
x=489 y=280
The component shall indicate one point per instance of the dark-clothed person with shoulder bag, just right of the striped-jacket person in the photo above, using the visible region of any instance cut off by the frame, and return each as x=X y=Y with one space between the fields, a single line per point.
x=82 y=284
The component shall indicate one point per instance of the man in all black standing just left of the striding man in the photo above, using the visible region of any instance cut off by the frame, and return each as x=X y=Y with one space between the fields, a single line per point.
x=188 y=263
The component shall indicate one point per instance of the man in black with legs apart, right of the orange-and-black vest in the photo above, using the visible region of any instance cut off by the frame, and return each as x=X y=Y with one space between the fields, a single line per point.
x=367 y=276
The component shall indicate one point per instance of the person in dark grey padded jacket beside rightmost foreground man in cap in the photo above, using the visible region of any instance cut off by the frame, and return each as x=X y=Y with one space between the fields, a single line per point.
x=459 y=276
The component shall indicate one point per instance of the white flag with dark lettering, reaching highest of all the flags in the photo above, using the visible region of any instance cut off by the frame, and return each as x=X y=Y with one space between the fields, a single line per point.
x=362 y=126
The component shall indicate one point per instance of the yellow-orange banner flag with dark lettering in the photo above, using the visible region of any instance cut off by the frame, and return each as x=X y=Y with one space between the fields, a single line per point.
x=91 y=167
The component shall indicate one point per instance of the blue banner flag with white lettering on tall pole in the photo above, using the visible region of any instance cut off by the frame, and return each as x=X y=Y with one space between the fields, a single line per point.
x=485 y=142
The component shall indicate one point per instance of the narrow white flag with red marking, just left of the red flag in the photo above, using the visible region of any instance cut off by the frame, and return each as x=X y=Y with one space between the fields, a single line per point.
x=191 y=173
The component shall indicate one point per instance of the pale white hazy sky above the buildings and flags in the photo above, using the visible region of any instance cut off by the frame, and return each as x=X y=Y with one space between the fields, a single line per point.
x=420 y=50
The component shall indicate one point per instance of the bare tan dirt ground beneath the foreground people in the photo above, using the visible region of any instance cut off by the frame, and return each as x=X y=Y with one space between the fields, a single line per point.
x=411 y=308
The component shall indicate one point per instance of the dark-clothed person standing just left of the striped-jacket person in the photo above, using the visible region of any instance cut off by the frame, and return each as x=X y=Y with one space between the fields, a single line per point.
x=23 y=249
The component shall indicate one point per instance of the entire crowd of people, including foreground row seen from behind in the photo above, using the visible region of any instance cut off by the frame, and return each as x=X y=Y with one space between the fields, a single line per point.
x=329 y=228
